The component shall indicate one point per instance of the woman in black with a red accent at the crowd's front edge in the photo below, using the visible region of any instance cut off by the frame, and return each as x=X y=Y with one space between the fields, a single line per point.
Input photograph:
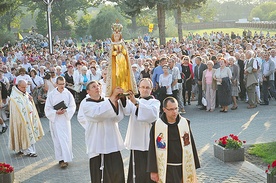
x=187 y=70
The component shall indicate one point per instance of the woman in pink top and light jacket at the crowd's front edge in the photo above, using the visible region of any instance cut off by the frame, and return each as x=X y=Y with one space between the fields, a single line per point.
x=209 y=86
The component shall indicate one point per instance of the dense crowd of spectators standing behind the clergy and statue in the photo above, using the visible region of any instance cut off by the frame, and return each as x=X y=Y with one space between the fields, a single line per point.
x=219 y=67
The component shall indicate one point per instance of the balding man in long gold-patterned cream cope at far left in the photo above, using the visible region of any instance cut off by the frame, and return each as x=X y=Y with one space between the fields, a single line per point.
x=25 y=126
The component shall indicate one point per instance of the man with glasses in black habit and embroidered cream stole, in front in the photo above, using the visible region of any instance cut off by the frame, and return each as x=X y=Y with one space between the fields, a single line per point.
x=177 y=159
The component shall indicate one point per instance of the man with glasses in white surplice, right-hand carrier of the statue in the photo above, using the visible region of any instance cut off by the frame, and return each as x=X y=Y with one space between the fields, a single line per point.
x=143 y=112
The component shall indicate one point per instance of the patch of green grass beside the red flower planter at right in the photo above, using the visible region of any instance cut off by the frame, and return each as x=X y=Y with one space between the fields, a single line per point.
x=265 y=151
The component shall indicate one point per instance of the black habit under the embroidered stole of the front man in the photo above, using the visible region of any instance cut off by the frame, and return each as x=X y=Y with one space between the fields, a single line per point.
x=174 y=173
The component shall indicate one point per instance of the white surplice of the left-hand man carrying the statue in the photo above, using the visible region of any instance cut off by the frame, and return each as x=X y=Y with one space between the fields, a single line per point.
x=100 y=121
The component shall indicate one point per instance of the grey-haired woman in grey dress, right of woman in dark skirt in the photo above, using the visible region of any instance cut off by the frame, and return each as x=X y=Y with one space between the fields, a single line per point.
x=234 y=81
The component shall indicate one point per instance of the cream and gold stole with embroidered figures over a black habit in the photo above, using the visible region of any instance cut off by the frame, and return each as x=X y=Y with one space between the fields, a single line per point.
x=161 y=144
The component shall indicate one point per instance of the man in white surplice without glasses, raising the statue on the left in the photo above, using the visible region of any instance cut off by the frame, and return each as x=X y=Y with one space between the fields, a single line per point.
x=99 y=117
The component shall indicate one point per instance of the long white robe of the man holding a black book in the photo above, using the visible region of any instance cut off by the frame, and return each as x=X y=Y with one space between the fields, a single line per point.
x=60 y=125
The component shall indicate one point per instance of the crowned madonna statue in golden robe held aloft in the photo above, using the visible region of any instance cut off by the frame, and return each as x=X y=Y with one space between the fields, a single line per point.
x=119 y=72
